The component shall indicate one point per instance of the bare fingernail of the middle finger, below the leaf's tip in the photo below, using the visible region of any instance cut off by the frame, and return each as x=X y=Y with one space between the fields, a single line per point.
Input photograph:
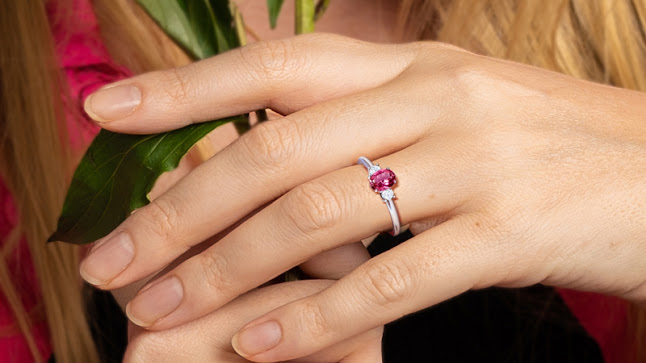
x=108 y=259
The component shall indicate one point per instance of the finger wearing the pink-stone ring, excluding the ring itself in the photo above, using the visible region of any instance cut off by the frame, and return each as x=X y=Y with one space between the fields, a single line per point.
x=332 y=210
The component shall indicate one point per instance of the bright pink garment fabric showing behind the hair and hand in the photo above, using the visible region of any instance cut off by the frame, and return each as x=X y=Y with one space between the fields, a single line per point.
x=88 y=66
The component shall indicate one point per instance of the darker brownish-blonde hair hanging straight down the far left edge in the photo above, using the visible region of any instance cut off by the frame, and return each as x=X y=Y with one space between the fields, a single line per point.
x=35 y=167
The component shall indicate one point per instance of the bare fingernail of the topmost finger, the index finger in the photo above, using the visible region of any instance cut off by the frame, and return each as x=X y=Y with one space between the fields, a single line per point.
x=113 y=103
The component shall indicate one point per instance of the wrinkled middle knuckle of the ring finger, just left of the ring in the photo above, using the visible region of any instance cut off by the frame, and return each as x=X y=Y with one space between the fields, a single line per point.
x=314 y=207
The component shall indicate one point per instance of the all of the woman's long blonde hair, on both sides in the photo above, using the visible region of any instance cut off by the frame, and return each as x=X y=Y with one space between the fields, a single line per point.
x=602 y=41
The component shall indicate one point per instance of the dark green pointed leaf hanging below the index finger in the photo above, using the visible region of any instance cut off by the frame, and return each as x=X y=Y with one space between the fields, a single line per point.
x=115 y=176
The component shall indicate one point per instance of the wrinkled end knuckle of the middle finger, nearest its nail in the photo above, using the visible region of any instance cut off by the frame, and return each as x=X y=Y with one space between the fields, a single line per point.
x=162 y=216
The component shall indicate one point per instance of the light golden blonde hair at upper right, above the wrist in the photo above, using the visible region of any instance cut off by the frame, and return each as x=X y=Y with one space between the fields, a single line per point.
x=601 y=40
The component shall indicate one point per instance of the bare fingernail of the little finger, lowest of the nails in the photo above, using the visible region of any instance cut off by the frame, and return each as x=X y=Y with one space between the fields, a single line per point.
x=257 y=339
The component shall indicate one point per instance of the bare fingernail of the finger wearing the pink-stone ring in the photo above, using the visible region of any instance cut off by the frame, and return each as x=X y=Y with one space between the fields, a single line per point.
x=155 y=302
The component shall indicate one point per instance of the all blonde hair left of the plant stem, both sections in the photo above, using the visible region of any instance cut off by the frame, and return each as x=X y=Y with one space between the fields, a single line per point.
x=35 y=160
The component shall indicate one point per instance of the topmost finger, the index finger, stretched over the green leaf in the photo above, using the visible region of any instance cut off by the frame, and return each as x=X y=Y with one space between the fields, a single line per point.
x=284 y=75
